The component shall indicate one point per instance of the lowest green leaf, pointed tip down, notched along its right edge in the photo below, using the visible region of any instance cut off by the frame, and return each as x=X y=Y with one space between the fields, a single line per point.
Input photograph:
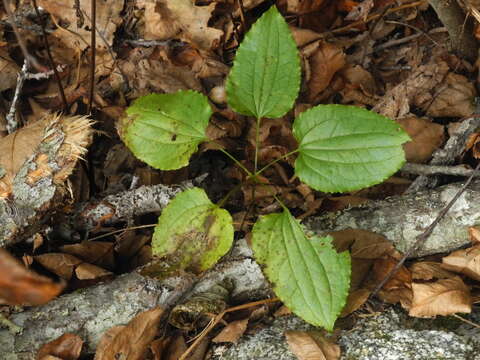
x=308 y=275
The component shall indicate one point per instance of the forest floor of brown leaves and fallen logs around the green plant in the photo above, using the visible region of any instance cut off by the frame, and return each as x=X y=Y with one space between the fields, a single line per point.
x=78 y=209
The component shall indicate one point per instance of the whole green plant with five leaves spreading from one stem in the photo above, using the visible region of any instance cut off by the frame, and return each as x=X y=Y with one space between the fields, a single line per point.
x=341 y=148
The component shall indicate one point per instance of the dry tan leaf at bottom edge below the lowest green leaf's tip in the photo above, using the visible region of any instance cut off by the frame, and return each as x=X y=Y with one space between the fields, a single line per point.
x=311 y=346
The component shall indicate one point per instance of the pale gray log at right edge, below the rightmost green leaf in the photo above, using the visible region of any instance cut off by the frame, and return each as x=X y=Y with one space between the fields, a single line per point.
x=402 y=218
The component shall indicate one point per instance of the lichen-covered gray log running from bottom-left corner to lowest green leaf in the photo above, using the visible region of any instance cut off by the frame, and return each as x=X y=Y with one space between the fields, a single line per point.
x=117 y=302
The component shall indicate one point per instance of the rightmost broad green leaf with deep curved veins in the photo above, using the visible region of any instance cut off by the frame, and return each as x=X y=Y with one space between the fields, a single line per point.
x=345 y=148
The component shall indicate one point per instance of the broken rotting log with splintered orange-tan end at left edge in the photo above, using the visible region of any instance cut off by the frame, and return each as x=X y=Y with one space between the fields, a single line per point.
x=30 y=187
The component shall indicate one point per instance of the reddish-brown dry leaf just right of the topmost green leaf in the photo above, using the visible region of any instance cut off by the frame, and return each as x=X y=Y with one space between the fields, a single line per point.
x=324 y=60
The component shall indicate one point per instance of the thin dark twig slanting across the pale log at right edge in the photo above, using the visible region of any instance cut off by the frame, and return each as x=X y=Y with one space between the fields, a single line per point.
x=425 y=235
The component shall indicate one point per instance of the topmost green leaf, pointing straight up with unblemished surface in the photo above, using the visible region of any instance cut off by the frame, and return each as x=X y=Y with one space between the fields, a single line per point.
x=265 y=78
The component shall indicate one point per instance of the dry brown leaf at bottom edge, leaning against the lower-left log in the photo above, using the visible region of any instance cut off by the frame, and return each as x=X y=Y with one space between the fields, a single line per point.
x=131 y=341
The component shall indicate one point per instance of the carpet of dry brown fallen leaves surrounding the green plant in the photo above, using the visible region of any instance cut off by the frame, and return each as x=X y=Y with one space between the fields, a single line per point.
x=400 y=71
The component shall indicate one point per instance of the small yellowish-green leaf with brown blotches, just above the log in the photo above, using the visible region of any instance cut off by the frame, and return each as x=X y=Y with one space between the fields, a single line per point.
x=193 y=232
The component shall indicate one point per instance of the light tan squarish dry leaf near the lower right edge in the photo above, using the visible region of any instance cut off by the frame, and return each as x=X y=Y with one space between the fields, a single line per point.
x=443 y=297
